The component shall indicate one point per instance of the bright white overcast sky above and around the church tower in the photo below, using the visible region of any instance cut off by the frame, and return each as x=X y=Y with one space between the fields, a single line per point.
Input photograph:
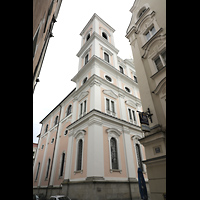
x=61 y=63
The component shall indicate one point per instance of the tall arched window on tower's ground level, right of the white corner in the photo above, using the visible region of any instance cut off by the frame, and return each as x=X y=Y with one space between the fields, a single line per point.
x=114 y=157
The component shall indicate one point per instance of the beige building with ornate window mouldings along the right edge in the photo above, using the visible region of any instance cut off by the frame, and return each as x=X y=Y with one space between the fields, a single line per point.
x=147 y=36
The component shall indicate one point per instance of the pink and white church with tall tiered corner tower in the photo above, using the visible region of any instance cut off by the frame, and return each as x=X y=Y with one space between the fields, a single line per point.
x=89 y=145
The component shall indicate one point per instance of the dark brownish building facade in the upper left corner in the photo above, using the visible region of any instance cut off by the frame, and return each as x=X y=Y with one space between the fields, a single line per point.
x=45 y=13
